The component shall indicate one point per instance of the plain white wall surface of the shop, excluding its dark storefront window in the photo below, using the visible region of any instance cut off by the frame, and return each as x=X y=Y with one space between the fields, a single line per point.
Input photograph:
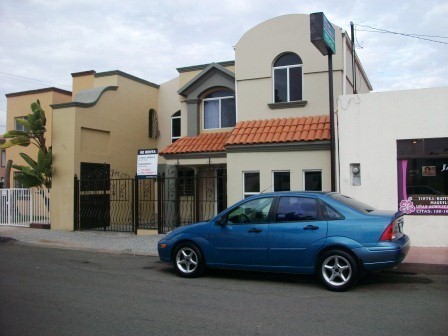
x=368 y=127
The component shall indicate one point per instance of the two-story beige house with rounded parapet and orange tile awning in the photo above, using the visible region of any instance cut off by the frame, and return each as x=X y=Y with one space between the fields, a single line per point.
x=258 y=123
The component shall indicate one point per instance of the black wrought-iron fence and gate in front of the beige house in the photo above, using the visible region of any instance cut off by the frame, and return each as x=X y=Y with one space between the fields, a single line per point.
x=126 y=204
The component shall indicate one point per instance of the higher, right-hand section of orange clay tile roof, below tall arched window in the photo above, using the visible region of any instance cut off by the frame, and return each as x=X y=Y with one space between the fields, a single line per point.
x=281 y=130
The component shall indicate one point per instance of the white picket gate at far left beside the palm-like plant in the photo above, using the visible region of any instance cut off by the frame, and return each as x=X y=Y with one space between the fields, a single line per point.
x=22 y=207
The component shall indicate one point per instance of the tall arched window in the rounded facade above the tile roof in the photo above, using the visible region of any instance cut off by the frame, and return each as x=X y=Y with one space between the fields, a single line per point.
x=287 y=74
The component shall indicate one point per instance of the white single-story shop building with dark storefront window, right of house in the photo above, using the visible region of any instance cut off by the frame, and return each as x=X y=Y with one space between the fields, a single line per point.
x=393 y=154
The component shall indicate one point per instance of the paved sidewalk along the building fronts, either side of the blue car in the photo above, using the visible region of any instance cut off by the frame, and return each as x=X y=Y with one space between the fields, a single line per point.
x=129 y=243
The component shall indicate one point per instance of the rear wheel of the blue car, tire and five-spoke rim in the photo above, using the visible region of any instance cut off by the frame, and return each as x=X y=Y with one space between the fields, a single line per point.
x=338 y=270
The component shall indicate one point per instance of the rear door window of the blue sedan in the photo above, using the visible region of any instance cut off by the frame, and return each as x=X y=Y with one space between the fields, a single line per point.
x=293 y=209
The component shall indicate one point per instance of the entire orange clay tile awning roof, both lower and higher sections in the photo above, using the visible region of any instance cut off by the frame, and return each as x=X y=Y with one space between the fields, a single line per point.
x=315 y=128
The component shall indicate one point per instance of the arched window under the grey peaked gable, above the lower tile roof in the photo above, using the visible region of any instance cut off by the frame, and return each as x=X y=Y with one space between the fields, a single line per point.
x=219 y=110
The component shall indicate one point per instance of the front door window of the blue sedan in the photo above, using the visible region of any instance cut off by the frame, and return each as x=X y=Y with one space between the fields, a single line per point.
x=253 y=211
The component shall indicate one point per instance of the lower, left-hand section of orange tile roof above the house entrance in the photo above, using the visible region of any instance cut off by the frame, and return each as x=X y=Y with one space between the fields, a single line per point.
x=205 y=142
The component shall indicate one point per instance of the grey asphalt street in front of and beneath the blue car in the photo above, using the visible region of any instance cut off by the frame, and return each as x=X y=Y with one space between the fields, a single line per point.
x=53 y=291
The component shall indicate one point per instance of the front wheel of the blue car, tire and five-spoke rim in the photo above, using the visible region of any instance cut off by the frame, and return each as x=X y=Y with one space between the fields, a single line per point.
x=188 y=261
